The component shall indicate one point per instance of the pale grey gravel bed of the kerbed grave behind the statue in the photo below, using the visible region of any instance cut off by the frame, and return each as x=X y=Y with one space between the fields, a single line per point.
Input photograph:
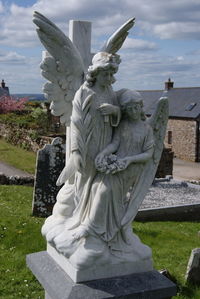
x=166 y=194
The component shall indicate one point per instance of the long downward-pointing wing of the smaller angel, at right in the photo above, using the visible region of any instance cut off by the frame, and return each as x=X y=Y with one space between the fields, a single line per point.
x=158 y=122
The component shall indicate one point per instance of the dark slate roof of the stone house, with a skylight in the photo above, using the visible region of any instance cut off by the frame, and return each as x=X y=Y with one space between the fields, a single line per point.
x=183 y=102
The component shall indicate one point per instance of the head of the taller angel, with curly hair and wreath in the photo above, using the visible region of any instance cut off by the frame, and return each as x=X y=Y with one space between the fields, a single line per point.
x=104 y=66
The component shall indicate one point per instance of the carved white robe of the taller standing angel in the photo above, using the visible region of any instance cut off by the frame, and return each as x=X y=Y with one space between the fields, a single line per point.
x=86 y=184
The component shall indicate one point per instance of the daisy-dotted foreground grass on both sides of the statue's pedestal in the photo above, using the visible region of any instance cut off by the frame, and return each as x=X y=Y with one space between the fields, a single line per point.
x=171 y=243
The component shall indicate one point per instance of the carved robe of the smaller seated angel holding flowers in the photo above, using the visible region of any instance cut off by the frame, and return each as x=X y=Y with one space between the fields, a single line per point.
x=109 y=198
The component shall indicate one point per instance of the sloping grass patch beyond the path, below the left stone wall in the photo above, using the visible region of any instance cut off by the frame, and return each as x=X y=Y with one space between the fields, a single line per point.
x=17 y=157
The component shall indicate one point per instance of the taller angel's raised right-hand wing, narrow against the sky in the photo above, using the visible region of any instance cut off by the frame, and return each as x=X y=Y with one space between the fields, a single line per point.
x=114 y=43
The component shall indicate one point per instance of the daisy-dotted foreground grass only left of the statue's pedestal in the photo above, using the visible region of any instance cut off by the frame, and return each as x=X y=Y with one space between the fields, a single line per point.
x=19 y=236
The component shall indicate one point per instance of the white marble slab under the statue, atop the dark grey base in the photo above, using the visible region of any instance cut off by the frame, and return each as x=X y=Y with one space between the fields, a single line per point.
x=99 y=271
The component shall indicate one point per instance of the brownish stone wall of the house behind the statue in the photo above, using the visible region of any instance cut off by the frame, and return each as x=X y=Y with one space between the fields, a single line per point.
x=183 y=138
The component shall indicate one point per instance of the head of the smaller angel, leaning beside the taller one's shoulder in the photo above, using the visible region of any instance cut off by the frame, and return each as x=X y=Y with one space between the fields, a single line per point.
x=132 y=105
